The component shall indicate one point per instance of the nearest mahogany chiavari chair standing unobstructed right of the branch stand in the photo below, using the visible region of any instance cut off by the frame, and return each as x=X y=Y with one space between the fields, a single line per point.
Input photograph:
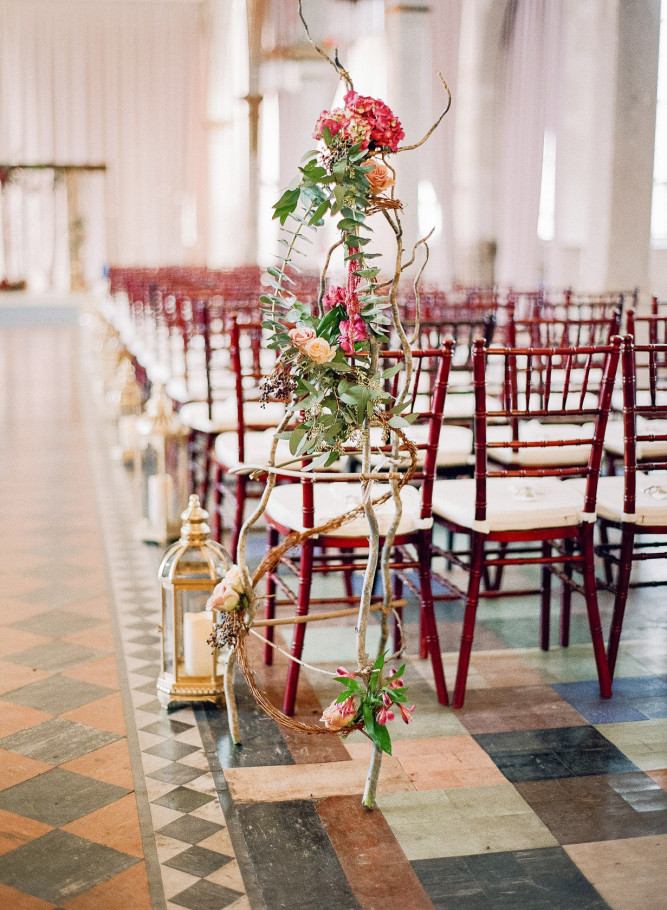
x=551 y=523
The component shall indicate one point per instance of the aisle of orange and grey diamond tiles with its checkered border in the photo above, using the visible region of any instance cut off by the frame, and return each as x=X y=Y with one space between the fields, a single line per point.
x=104 y=802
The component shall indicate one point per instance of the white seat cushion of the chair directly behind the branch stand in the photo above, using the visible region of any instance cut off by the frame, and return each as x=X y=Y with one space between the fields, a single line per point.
x=333 y=499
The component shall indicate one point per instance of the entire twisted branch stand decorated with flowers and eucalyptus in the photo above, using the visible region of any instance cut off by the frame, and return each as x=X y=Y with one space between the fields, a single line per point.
x=328 y=377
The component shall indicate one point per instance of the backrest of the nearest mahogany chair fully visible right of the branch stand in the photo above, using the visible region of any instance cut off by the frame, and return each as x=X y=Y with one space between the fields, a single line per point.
x=554 y=391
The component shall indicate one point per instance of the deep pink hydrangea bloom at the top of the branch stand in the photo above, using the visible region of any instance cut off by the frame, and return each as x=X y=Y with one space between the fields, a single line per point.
x=365 y=120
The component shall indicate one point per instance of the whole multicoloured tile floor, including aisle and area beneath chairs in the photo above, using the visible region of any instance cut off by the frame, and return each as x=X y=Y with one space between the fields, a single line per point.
x=536 y=794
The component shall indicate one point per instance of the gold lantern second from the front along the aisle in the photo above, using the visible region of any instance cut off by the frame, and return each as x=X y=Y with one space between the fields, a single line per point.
x=161 y=469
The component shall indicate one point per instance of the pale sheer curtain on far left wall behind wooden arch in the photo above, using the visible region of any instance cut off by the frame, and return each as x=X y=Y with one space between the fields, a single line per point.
x=119 y=83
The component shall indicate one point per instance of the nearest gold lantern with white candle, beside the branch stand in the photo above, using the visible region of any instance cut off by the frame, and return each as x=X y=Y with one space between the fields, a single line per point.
x=190 y=569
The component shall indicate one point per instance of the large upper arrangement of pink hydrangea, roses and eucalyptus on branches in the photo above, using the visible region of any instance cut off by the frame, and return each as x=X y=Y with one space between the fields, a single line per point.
x=325 y=369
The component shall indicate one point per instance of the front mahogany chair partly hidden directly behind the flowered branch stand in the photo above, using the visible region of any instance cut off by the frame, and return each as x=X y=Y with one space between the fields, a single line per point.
x=316 y=499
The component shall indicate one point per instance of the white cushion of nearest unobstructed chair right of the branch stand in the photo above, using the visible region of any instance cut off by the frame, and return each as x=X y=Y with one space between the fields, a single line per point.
x=520 y=504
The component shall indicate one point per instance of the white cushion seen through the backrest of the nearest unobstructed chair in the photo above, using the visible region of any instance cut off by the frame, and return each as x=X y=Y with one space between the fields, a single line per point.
x=534 y=431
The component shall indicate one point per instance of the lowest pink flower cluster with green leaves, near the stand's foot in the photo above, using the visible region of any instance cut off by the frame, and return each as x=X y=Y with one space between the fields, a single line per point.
x=369 y=704
